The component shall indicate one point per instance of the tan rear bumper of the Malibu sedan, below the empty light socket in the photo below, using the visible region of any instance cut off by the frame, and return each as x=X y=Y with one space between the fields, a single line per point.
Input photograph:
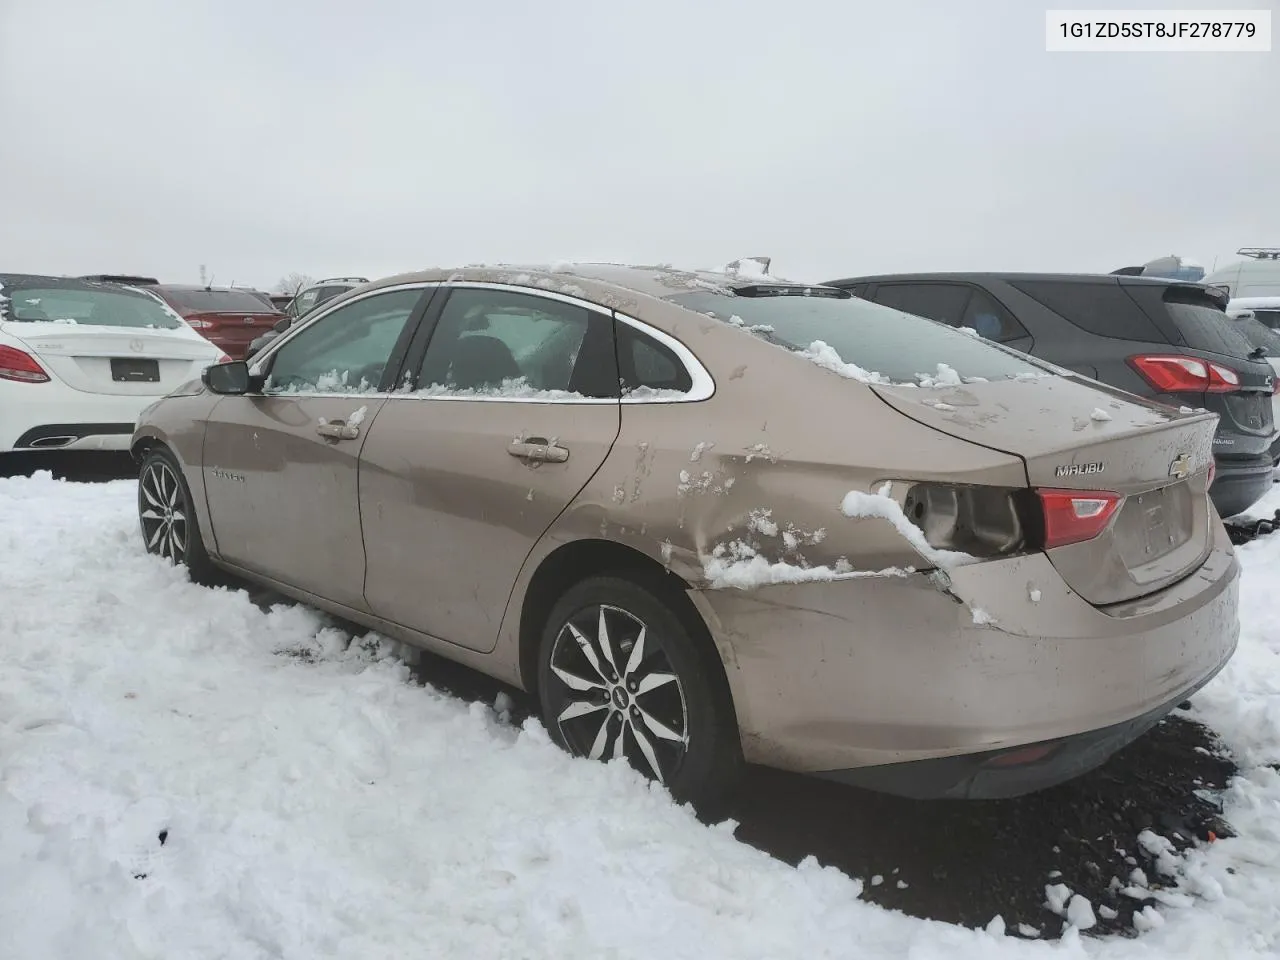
x=831 y=678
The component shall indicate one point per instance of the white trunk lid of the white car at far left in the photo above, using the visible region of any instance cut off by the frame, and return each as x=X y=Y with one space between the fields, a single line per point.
x=126 y=362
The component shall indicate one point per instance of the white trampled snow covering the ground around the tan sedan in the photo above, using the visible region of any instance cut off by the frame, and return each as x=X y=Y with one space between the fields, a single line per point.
x=317 y=804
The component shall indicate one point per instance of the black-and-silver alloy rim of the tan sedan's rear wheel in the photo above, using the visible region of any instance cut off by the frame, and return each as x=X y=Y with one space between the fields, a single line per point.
x=616 y=693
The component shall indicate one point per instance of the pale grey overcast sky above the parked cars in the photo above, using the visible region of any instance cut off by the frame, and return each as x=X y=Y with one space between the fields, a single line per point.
x=840 y=138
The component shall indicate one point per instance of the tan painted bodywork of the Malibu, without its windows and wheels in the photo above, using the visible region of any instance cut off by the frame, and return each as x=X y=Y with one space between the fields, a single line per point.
x=779 y=497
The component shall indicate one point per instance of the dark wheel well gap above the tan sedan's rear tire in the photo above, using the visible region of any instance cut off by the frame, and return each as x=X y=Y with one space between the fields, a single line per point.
x=577 y=561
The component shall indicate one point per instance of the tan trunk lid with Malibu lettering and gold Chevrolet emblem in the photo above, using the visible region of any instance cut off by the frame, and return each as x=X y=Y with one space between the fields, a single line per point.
x=1076 y=435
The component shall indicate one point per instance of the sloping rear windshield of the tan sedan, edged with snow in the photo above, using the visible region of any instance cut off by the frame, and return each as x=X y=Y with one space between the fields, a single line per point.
x=903 y=348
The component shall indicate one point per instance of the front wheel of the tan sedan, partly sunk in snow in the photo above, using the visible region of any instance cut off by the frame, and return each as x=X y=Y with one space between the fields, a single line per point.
x=168 y=522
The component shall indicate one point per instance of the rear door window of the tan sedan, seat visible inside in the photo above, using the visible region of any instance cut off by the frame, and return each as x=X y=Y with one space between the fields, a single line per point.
x=501 y=344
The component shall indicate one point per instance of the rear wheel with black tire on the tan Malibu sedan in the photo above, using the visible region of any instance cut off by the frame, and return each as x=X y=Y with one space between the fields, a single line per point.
x=703 y=766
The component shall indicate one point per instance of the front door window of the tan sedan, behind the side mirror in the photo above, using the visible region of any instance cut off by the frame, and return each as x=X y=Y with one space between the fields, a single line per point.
x=346 y=351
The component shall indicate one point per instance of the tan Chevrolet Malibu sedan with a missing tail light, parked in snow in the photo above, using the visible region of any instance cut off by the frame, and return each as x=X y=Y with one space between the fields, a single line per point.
x=711 y=518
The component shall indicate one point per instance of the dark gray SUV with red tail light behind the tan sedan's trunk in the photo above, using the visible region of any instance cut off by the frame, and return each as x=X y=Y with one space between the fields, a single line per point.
x=1160 y=339
